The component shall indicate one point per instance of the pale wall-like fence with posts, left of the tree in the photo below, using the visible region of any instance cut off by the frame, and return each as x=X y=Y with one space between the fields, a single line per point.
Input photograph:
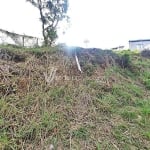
x=7 y=37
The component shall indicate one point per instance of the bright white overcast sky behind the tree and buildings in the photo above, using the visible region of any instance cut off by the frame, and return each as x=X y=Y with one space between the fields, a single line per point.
x=105 y=23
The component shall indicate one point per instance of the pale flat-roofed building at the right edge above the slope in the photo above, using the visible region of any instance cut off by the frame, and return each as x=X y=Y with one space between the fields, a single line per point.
x=139 y=44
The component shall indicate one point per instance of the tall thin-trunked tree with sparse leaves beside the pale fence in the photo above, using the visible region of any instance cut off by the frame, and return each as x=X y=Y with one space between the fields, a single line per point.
x=51 y=13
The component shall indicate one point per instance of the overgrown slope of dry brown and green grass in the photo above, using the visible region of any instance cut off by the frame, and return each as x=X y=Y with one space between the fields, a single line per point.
x=45 y=100
